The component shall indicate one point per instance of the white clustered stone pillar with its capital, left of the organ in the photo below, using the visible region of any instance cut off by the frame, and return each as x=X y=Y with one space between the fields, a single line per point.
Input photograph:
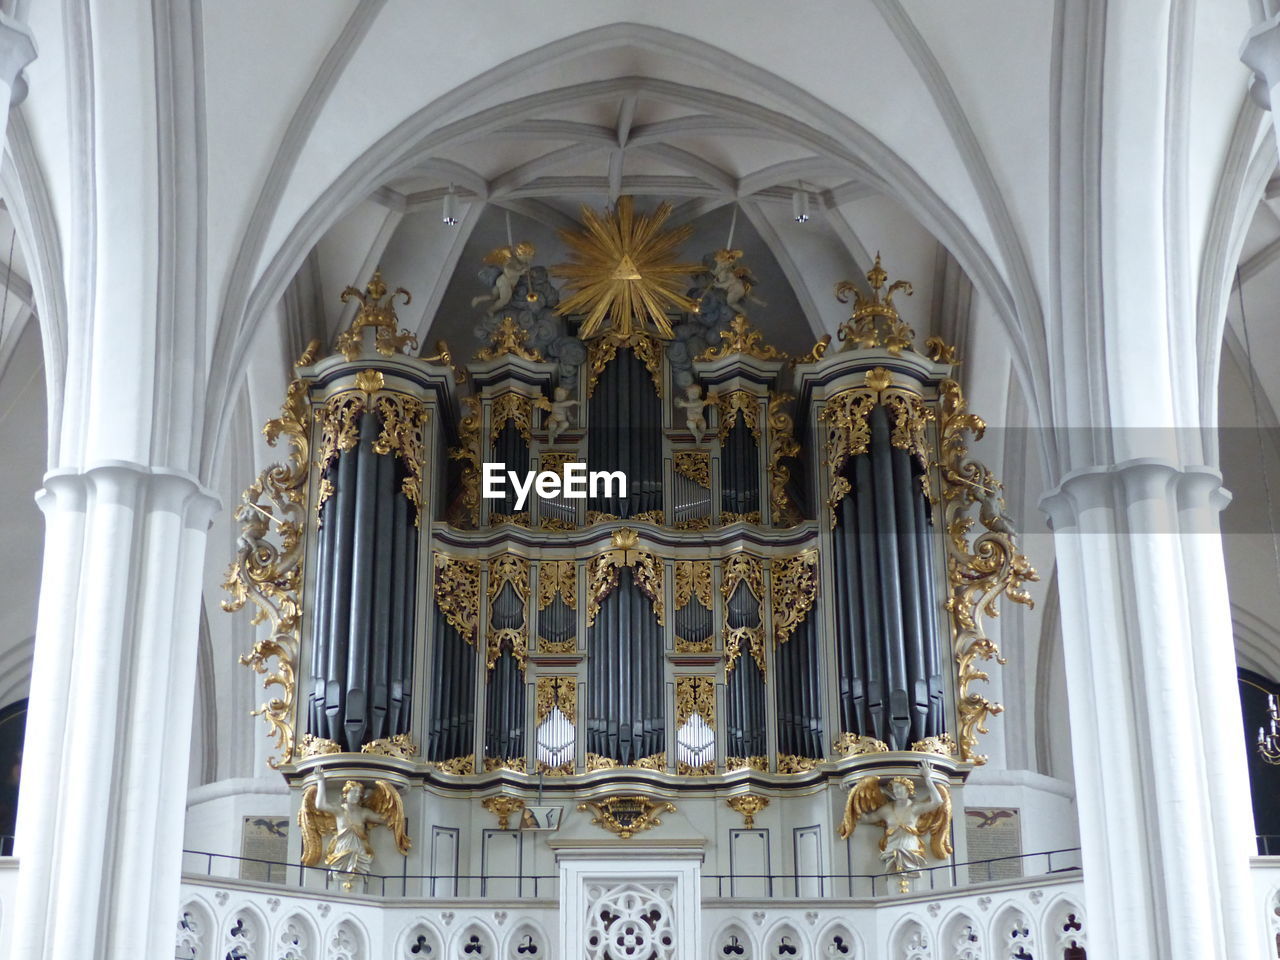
x=100 y=819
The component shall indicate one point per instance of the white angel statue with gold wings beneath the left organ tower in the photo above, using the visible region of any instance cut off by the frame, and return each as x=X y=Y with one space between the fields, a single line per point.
x=349 y=852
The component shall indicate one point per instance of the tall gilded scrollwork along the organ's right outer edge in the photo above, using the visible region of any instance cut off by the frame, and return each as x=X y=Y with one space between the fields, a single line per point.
x=980 y=570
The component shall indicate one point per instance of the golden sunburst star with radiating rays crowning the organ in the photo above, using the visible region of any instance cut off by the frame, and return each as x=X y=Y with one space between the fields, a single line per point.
x=625 y=269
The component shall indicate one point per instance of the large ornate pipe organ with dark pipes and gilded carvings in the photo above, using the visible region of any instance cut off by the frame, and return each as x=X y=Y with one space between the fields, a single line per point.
x=788 y=596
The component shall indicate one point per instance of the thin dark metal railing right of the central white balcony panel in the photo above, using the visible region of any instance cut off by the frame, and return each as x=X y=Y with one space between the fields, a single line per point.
x=860 y=886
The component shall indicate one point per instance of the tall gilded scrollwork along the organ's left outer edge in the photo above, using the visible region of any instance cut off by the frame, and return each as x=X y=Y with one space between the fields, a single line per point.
x=268 y=568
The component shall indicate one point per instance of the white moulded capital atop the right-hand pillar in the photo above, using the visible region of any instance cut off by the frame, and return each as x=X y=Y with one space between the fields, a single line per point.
x=1188 y=487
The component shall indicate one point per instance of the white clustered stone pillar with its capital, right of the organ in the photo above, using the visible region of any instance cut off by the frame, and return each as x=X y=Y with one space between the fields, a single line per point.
x=1160 y=769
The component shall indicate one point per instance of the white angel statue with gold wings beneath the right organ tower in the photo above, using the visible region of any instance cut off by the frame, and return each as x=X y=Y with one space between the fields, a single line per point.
x=906 y=820
